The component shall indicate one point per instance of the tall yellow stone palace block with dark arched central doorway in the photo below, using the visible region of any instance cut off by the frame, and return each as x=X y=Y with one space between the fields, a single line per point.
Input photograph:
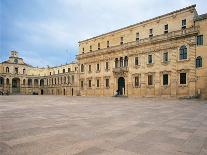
x=163 y=56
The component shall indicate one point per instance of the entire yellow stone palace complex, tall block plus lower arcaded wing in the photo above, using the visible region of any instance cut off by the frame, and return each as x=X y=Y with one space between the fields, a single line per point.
x=163 y=56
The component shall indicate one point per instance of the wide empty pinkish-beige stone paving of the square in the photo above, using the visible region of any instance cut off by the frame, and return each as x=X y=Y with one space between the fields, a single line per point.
x=59 y=125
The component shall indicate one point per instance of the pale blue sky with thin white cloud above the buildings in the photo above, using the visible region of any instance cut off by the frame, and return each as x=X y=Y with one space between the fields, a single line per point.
x=47 y=32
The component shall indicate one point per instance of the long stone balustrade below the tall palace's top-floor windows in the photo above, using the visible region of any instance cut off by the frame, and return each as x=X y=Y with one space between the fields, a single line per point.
x=154 y=39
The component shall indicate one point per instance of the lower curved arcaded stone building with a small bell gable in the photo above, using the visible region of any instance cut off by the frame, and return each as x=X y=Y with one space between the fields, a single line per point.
x=17 y=77
